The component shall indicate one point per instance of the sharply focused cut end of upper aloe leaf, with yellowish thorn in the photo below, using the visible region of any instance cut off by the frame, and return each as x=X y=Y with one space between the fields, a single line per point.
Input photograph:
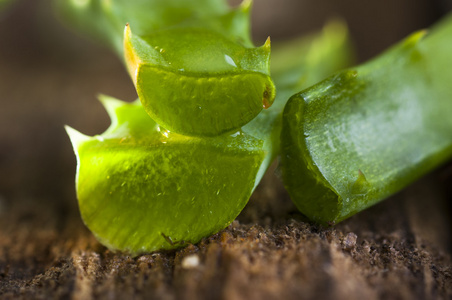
x=217 y=85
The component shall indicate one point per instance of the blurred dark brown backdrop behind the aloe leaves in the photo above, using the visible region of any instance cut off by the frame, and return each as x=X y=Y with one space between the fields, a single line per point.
x=50 y=76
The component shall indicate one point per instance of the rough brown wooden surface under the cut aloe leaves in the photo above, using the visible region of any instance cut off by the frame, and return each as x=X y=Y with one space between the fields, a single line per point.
x=399 y=249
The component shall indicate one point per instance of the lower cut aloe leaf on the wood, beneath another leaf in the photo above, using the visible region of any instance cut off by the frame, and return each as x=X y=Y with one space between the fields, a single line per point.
x=141 y=188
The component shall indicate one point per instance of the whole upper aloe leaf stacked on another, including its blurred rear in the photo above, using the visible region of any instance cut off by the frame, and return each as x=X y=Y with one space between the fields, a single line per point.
x=192 y=62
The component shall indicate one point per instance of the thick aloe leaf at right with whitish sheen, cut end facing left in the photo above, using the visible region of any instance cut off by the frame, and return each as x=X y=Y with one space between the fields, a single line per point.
x=365 y=133
